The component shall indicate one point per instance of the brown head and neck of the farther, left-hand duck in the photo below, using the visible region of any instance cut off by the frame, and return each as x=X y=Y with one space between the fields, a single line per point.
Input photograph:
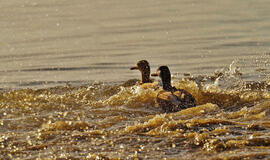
x=144 y=68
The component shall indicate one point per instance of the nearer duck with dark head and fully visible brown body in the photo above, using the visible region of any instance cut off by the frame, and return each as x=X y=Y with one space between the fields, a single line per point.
x=170 y=98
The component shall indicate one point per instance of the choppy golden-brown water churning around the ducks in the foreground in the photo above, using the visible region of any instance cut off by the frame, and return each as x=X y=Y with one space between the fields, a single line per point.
x=122 y=121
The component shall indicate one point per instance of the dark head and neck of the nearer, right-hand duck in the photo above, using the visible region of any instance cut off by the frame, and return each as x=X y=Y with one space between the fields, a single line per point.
x=164 y=73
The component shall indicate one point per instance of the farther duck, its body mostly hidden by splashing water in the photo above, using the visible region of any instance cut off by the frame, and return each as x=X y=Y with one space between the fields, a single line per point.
x=144 y=68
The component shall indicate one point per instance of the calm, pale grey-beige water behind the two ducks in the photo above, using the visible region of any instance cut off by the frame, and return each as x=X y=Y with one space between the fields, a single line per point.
x=55 y=40
